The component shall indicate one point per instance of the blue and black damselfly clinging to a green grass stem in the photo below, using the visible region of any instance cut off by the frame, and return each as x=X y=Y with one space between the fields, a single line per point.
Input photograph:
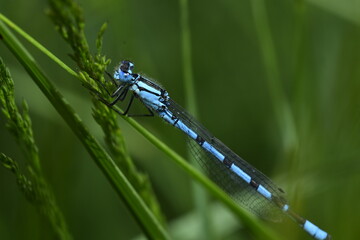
x=244 y=183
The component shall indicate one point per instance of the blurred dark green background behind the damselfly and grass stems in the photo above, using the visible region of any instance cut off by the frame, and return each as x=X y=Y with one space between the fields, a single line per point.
x=316 y=46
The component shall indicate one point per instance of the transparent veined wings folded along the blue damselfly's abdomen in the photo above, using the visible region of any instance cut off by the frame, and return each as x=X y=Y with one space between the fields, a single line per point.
x=239 y=190
